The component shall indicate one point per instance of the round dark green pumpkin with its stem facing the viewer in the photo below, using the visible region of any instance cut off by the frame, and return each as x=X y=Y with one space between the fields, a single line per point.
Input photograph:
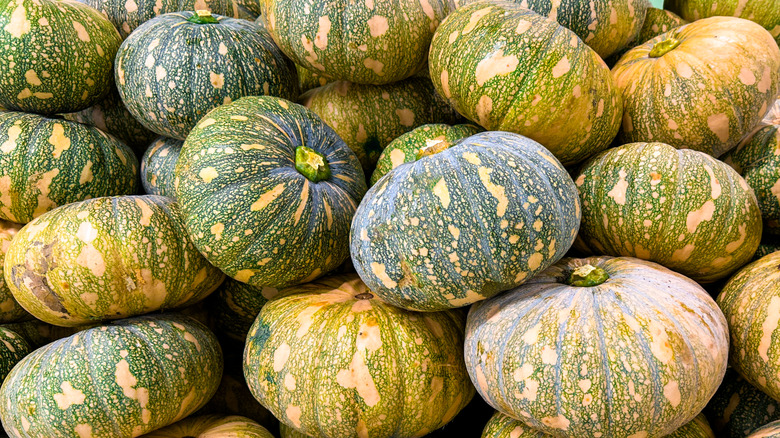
x=268 y=191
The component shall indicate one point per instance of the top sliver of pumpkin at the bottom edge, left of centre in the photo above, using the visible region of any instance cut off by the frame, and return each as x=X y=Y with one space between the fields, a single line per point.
x=208 y=426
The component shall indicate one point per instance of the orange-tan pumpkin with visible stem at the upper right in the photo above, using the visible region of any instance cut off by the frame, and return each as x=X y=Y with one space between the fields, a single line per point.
x=671 y=95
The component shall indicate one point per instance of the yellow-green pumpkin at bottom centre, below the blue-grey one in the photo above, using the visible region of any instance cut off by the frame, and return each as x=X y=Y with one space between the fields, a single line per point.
x=383 y=372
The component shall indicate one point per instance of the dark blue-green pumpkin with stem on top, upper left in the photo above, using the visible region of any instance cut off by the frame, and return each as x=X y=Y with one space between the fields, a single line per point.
x=235 y=58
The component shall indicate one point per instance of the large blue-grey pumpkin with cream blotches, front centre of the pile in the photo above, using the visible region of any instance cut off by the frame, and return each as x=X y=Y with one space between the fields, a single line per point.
x=464 y=224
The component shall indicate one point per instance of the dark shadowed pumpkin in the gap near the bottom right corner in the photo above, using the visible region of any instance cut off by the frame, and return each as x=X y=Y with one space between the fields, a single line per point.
x=739 y=408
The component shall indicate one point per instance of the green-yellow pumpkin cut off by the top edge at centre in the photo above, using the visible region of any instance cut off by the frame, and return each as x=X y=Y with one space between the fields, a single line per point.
x=373 y=42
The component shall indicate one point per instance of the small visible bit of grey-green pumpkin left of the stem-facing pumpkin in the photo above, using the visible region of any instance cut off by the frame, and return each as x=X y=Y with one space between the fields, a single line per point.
x=158 y=165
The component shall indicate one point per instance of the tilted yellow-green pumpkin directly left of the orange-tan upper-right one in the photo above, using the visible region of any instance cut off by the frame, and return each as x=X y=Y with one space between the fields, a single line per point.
x=510 y=69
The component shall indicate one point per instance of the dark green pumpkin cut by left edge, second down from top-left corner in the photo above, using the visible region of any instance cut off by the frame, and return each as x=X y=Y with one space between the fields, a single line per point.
x=46 y=163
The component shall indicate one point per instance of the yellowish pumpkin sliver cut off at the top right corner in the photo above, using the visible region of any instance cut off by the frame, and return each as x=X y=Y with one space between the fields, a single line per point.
x=764 y=12
